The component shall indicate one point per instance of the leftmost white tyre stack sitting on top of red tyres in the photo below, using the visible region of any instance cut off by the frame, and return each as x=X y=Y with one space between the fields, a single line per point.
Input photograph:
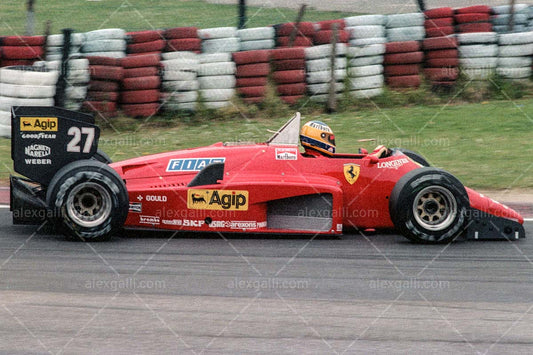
x=110 y=42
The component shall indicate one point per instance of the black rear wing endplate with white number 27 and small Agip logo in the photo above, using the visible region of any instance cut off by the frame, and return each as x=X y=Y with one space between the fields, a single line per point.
x=44 y=139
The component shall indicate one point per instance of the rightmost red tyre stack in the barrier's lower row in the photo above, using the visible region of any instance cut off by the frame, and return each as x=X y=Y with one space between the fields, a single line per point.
x=441 y=61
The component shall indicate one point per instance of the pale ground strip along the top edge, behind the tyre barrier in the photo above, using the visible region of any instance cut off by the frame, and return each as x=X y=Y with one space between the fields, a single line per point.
x=370 y=6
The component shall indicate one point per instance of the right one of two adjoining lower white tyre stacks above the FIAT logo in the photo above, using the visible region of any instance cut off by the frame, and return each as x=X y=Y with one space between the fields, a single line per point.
x=216 y=77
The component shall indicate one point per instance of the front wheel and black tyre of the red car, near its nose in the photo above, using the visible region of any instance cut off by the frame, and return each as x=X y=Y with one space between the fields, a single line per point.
x=429 y=205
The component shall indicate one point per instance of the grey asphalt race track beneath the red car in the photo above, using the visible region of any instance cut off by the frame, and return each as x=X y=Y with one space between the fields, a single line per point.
x=358 y=294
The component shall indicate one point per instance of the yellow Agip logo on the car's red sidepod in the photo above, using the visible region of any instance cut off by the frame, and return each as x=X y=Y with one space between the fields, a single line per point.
x=226 y=200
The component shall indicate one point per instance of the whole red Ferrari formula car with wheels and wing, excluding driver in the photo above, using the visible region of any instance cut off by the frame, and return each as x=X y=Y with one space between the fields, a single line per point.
x=269 y=187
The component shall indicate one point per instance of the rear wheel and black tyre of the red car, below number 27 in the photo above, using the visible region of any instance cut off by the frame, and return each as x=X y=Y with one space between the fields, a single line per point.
x=89 y=201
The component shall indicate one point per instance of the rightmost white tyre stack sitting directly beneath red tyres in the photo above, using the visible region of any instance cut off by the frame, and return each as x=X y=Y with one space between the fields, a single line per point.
x=478 y=54
